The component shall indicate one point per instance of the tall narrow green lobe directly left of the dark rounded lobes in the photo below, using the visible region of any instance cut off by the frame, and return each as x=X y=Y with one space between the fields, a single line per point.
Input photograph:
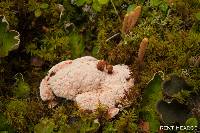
x=152 y=94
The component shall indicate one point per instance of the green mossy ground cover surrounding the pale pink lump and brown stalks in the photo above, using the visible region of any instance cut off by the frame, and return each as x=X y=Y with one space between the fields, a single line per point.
x=57 y=30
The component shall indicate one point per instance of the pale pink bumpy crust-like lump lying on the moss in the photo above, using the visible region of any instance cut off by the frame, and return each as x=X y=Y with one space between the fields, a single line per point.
x=80 y=80
